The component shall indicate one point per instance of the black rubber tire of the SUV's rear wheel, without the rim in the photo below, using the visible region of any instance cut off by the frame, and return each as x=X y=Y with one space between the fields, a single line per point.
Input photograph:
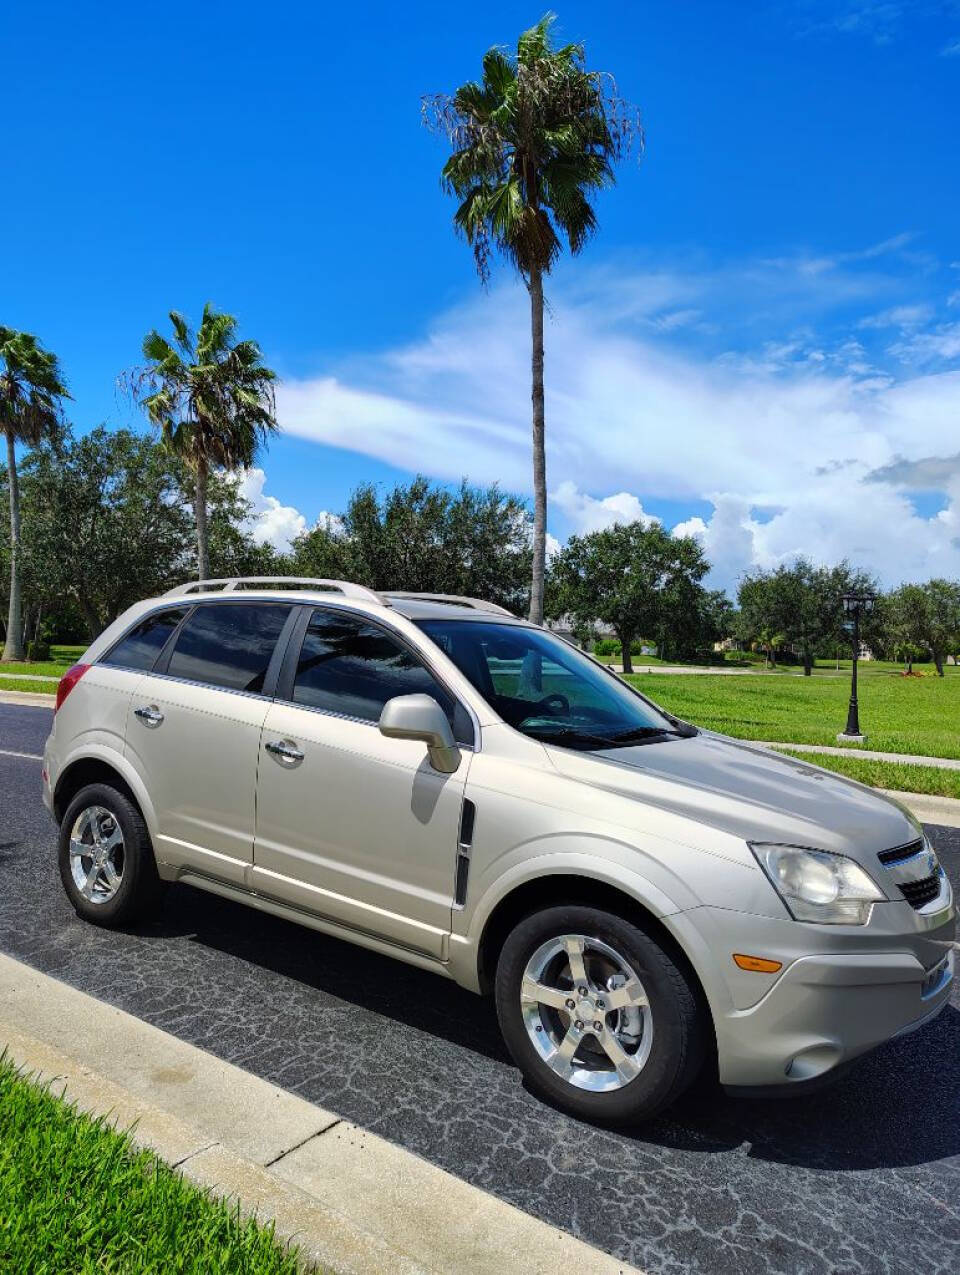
x=141 y=888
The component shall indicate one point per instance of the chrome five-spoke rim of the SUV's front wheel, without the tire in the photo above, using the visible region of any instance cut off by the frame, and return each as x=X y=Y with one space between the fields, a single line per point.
x=587 y=1013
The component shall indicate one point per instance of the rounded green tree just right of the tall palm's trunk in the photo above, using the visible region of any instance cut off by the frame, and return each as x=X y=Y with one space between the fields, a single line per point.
x=638 y=579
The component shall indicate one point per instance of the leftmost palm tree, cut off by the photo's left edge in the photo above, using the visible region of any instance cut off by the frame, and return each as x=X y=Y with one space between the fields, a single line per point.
x=31 y=390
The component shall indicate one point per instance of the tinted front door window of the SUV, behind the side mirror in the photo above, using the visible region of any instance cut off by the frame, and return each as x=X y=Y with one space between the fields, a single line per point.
x=354 y=667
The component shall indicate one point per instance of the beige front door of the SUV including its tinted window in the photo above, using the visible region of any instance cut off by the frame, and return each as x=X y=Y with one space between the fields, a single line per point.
x=351 y=826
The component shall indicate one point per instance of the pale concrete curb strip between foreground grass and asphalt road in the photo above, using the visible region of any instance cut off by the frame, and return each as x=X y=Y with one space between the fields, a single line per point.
x=354 y=1202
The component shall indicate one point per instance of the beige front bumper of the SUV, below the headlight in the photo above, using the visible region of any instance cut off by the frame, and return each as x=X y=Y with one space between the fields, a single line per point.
x=842 y=993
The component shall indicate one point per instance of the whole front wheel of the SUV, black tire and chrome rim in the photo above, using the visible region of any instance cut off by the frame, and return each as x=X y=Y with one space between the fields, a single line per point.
x=599 y=1017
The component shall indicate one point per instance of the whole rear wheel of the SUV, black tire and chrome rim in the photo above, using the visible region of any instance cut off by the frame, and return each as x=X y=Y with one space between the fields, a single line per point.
x=106 y=859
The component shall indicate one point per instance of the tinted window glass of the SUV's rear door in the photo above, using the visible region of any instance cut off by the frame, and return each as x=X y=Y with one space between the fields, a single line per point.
x=229 y=645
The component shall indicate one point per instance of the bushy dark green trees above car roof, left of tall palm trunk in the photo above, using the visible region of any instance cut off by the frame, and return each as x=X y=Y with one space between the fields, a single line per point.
x=426 y=539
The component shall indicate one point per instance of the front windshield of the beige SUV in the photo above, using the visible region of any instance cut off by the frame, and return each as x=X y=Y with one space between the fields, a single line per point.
x=549 y=690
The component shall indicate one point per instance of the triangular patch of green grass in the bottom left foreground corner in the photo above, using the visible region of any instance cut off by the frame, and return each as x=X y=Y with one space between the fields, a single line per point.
x=78 y=1197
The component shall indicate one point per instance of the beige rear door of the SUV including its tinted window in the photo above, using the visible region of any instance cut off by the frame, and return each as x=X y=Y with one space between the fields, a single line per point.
x=194 y=732
